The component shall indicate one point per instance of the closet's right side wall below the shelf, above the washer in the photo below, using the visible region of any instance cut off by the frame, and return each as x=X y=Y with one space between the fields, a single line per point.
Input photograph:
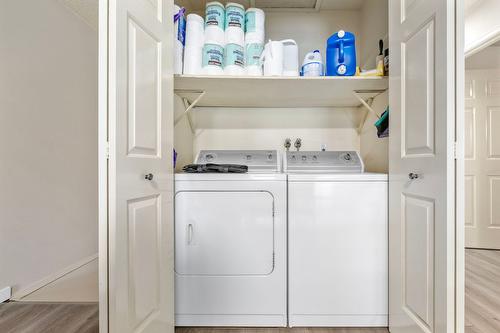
x=375 y=151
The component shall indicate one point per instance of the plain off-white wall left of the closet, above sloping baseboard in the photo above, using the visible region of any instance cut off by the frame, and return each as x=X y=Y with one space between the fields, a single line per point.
x=48 y=141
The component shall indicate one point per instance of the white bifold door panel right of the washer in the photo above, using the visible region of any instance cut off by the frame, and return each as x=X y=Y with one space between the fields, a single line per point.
x=422 y=166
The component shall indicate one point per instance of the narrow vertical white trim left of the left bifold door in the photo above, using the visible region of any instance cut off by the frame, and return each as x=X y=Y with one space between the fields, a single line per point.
x=103 y=158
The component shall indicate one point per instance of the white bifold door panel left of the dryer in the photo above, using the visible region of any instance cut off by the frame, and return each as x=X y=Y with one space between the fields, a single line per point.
x=140 y=172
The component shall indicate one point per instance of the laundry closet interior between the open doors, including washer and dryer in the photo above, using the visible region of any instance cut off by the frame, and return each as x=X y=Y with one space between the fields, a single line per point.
x=275 y=246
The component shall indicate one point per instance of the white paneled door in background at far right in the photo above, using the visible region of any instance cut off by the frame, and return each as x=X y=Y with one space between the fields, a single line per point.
x=482 y=159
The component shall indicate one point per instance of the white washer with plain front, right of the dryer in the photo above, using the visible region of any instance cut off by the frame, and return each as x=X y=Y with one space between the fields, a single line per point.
x=337 y=241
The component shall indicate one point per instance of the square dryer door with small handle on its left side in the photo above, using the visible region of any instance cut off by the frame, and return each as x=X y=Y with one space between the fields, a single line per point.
x=224 y=233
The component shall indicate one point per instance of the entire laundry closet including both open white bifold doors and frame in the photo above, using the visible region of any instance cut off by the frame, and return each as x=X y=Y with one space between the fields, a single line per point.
x=301 y=225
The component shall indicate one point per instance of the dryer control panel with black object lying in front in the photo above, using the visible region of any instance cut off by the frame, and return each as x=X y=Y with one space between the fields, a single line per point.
x=256 y=160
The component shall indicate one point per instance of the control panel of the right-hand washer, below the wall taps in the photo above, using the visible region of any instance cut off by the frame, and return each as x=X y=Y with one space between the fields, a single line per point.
x=323 y=161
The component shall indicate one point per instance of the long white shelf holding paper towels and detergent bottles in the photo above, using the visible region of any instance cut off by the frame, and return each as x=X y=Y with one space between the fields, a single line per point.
x=278 y=92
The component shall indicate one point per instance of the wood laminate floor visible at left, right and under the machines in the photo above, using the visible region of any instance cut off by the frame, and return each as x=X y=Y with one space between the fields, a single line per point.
x=482 y=308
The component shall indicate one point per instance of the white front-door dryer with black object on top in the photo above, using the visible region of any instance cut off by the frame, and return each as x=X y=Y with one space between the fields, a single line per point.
x=230 y=243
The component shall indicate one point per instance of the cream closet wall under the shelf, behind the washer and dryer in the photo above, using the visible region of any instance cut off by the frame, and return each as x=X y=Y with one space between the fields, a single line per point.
x=267 y=128
